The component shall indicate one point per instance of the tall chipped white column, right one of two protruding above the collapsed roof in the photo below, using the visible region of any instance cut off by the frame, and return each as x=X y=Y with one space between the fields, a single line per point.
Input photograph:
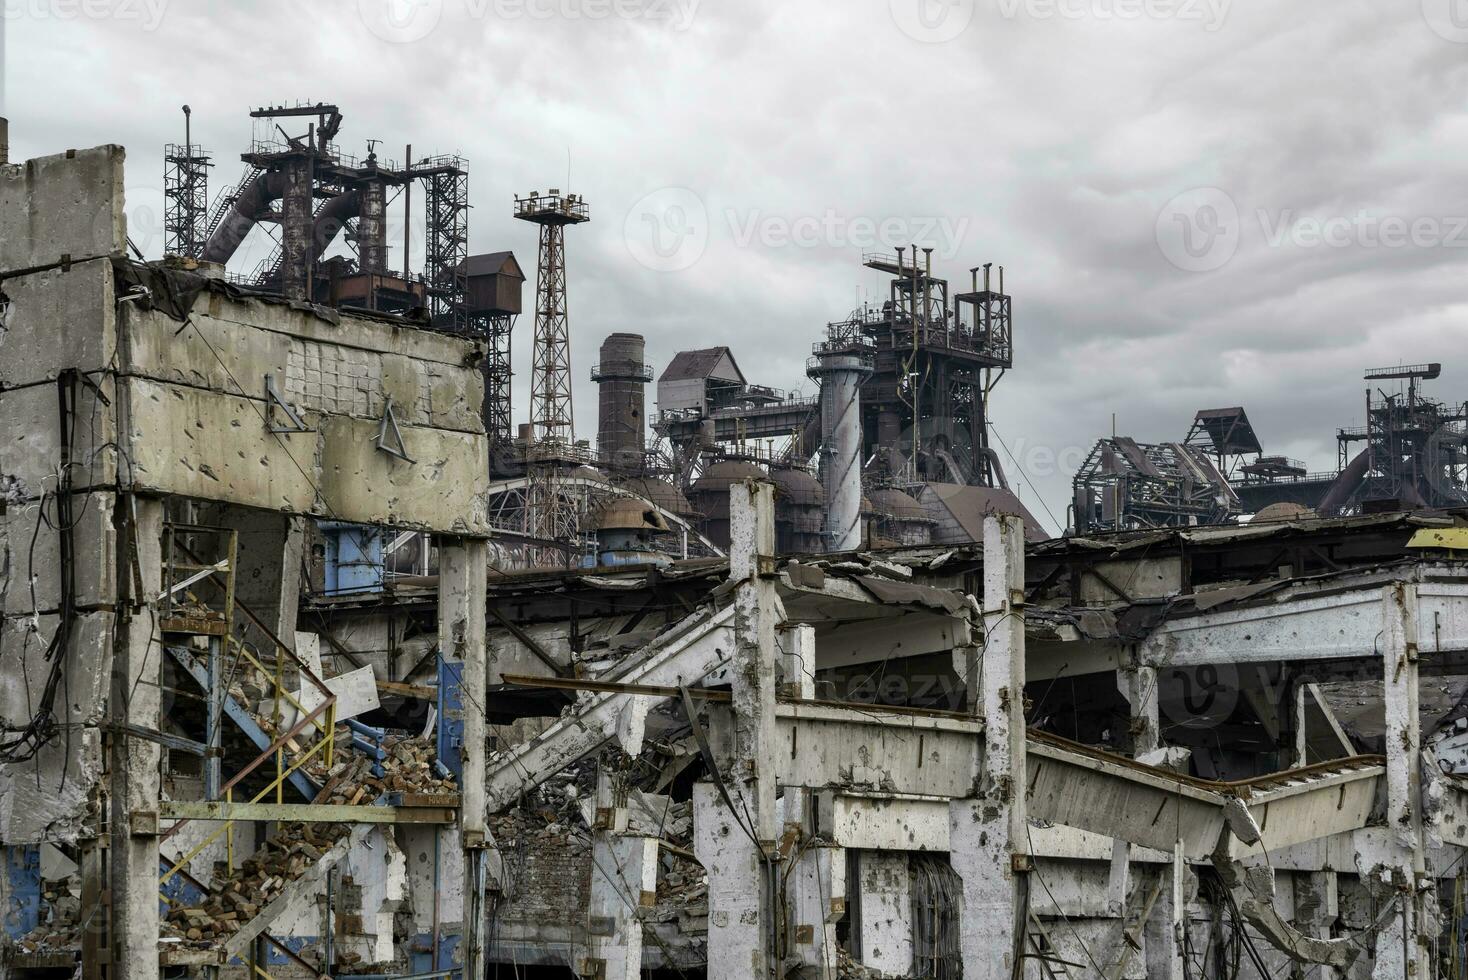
x=989 y=834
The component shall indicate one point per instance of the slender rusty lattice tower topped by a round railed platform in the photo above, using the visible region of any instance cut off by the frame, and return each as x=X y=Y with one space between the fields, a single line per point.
x=550 y=514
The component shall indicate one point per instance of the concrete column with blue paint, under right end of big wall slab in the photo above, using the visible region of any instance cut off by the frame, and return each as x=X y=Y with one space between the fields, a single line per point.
x=463 y=595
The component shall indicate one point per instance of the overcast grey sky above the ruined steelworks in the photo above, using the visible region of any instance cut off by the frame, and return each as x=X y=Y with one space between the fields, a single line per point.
x=1199 y=203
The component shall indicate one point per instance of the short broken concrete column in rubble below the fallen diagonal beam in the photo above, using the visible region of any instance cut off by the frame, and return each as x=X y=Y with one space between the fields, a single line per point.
x=625 y=881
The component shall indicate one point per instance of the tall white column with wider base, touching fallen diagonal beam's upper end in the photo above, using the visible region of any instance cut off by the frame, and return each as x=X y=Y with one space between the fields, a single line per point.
x=735 y=847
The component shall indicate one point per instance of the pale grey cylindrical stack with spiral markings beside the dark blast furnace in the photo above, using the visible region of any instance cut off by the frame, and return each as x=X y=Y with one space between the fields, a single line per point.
x=842 y=378
